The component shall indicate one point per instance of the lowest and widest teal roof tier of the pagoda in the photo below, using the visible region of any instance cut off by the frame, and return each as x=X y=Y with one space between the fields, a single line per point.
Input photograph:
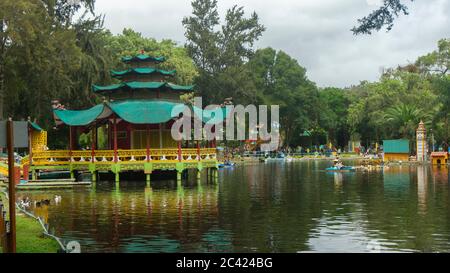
x=136 y=112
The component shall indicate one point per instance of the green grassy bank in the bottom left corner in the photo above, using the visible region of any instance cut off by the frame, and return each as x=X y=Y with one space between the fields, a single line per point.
x=30 y=238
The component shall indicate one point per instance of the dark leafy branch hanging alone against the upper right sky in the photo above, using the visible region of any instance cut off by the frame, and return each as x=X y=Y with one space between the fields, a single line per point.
x=384 y=16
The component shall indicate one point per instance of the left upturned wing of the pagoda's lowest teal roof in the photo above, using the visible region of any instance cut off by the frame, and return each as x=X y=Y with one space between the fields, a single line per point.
x=80 y=117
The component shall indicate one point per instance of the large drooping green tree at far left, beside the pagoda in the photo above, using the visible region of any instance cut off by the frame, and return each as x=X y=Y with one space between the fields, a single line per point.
x=38 y=54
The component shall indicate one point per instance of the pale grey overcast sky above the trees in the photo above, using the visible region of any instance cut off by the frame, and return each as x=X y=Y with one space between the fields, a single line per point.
x=315 y=32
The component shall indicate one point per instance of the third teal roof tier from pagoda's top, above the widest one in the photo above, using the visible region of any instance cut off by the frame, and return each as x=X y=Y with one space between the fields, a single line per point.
x=142 y=85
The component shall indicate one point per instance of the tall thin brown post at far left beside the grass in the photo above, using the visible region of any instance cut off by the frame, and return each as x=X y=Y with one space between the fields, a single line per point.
x=12 y=187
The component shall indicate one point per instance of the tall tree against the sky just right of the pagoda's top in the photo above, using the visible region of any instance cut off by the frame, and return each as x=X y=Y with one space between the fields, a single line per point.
x=220 y=52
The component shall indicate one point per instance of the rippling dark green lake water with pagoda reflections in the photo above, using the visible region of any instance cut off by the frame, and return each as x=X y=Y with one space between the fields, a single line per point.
x=265 y=207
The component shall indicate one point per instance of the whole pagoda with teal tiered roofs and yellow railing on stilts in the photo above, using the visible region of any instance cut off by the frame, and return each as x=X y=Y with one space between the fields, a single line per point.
x=136 y=118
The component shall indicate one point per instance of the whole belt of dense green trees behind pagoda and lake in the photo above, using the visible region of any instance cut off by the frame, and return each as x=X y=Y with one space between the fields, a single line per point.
x=45 y=54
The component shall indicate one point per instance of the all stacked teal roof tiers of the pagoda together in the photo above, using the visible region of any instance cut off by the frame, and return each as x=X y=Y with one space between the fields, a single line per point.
x=145 y=95
